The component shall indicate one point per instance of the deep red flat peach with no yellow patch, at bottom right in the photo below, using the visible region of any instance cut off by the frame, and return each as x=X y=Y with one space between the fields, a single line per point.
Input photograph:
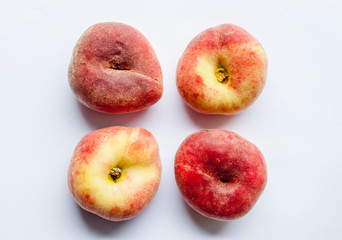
x=220 y=174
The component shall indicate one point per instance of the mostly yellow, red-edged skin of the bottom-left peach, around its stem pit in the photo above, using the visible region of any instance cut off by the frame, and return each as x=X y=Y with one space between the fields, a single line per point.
x=133 y=150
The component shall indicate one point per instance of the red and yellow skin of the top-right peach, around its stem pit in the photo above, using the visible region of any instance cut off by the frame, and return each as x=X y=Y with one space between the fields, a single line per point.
x=232 y=48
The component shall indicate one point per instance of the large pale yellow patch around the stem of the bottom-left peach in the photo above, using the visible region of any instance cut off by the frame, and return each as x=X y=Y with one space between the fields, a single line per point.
x=95 y=179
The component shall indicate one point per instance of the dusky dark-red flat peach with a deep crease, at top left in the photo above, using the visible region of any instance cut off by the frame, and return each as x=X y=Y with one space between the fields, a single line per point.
x=114 y=69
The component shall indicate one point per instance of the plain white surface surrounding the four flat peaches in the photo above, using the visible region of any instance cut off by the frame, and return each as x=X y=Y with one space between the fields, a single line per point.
x=296 y=122
